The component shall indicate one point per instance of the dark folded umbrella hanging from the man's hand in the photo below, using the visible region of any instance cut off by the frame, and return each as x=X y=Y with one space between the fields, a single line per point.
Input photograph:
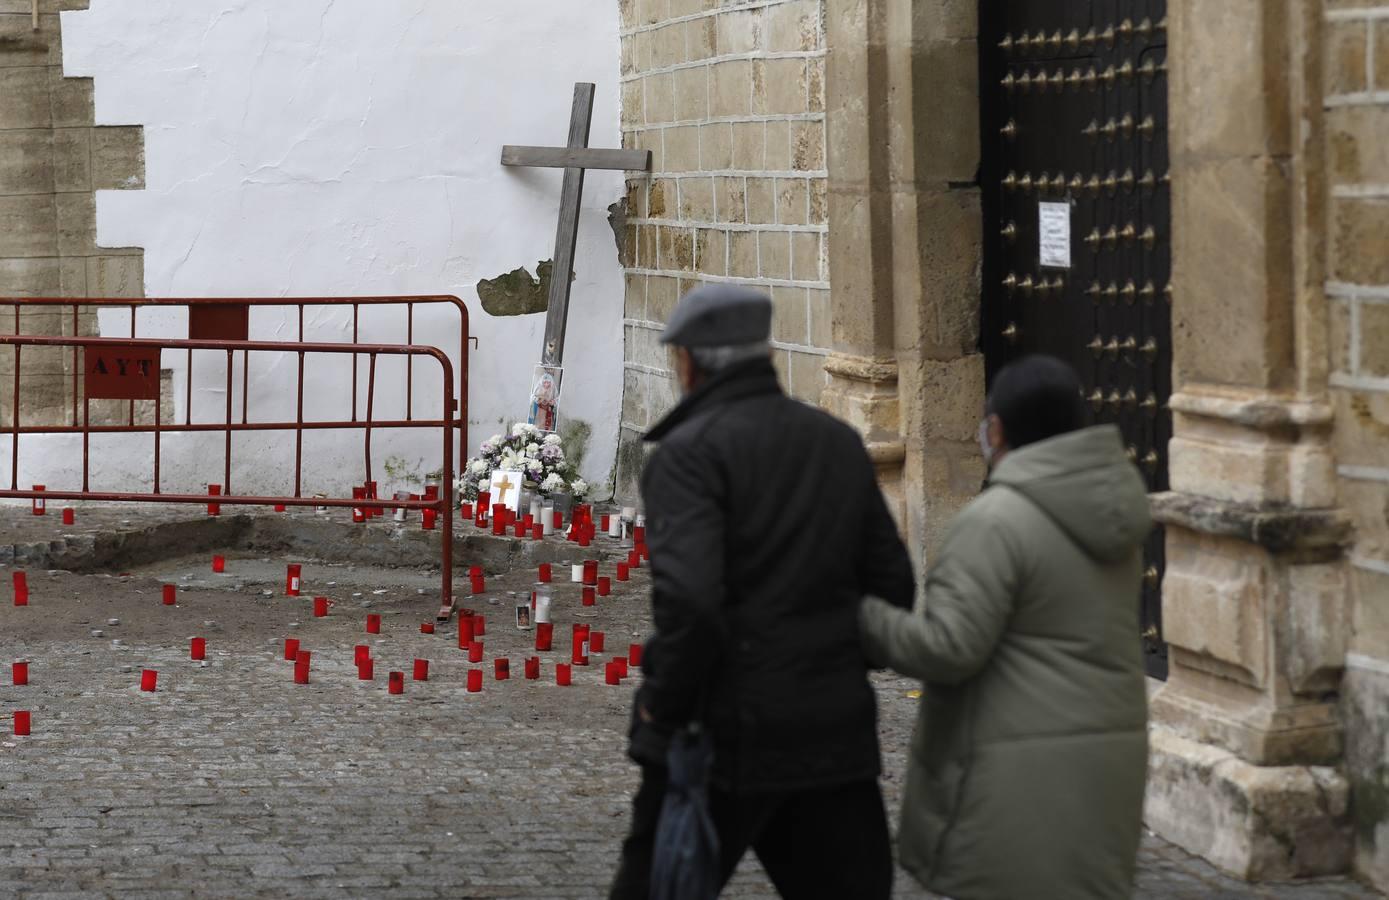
x=685 y=865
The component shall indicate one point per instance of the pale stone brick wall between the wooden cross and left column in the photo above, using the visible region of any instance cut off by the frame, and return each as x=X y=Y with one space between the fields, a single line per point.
x=730 y=99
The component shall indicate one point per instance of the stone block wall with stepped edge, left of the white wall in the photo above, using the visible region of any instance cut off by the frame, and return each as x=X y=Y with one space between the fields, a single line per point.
x=52 y=162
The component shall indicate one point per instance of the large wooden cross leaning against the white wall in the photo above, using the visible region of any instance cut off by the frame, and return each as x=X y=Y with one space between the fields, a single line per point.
x=574 y=159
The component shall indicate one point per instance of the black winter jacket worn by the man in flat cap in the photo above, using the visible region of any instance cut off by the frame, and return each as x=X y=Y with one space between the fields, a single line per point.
x=766 y=528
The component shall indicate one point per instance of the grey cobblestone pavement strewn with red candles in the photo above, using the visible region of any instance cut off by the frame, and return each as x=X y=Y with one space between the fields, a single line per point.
x=233 y=781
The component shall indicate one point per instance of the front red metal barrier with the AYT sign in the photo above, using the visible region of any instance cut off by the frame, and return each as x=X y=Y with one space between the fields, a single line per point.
x=119 y=369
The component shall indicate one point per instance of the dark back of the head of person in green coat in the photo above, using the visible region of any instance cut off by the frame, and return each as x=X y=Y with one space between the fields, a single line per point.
x=1037 y=398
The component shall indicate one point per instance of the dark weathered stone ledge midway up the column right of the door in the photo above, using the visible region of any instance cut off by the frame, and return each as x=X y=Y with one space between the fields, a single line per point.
x=1316 y=534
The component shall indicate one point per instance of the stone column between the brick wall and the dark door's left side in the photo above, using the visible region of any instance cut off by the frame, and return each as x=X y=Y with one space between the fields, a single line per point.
x=902 y=106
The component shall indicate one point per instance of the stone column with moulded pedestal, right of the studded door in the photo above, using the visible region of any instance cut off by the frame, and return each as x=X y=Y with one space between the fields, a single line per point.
x=1245 y=730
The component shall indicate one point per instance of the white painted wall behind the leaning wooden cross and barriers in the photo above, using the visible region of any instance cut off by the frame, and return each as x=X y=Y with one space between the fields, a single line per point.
x=317 y=148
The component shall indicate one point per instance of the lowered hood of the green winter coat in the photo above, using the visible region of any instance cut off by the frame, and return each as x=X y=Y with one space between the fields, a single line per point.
x=1087 y=485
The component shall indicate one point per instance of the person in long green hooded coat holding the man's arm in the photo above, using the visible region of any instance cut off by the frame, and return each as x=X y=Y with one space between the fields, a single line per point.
x=1027 y=767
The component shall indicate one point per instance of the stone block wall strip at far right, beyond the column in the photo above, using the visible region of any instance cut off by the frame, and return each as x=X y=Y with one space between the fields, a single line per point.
x=1358 y=162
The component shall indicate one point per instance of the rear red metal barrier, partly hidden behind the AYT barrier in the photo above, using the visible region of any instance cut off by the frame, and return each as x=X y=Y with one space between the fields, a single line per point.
x=227 y=319
